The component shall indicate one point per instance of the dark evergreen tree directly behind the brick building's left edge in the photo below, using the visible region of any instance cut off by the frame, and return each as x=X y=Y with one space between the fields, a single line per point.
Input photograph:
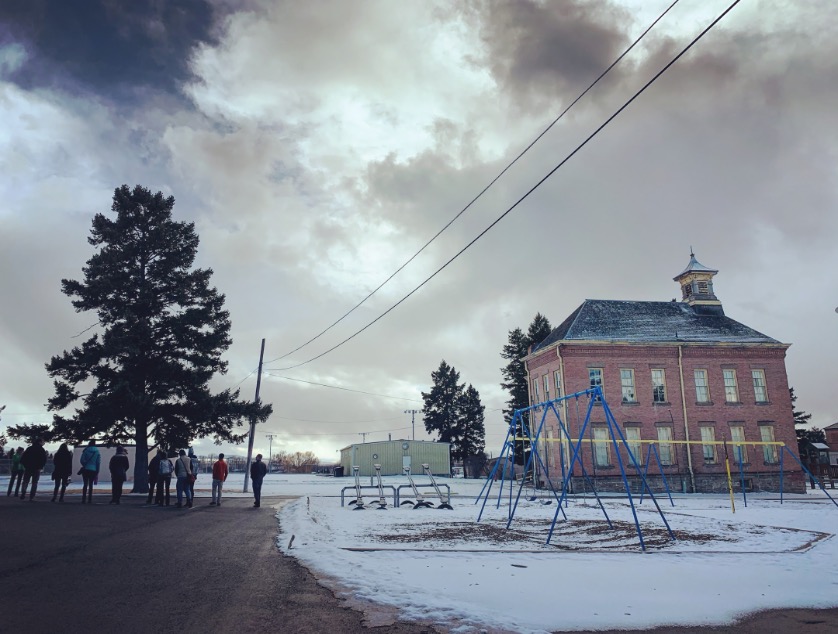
x=515 y=378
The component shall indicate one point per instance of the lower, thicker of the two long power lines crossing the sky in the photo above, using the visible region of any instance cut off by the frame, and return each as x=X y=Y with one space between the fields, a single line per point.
x=527 y=194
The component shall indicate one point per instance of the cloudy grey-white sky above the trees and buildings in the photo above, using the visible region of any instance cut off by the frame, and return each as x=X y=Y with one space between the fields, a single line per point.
x=318 y=146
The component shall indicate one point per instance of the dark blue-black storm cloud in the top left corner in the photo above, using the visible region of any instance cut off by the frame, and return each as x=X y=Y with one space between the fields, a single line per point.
x=112 y=48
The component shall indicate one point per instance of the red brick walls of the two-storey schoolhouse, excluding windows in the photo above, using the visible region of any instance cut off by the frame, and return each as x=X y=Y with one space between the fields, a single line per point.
x=576 y=359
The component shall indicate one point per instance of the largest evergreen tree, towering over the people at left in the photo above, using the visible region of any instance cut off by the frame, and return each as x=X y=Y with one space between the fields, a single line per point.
x=163 y=331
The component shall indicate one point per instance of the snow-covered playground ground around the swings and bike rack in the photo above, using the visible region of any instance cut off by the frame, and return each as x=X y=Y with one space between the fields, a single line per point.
x=442 y=567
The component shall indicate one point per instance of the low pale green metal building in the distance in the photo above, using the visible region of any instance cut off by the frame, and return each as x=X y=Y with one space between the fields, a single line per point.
x=394 y=455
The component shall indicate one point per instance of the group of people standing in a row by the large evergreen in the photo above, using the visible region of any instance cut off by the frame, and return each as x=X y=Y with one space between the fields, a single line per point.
x=27 y=465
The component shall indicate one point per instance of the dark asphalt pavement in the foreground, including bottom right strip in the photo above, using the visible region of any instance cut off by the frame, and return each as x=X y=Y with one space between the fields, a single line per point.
x=74 y=567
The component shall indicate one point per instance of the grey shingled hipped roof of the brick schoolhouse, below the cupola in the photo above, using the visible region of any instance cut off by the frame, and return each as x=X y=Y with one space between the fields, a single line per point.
x=639 y=322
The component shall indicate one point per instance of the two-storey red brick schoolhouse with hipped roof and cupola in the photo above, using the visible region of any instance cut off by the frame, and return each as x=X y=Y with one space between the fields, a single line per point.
x=670 y=372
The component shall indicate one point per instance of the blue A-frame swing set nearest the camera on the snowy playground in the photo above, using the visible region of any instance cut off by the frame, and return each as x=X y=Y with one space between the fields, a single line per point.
x=615 y=436
